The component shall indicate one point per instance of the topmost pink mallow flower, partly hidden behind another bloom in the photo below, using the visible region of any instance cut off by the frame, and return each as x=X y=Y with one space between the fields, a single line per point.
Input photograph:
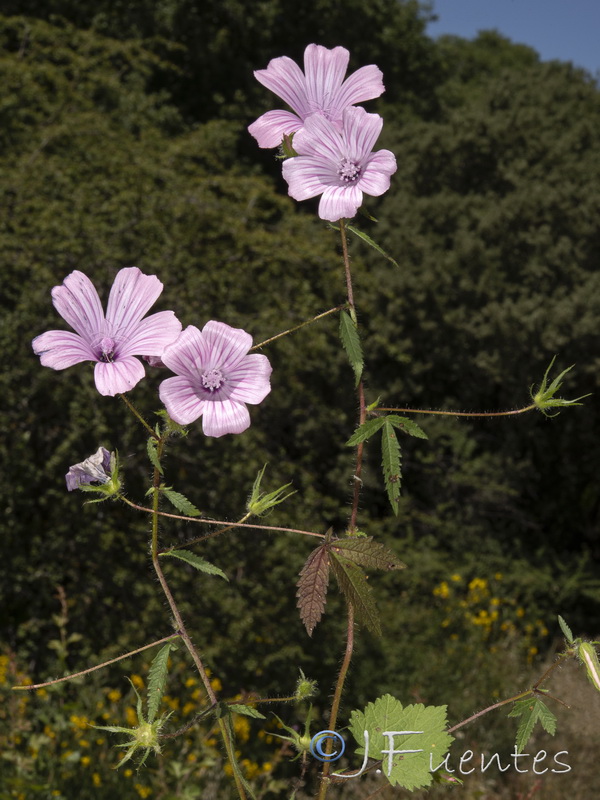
x=322 y=89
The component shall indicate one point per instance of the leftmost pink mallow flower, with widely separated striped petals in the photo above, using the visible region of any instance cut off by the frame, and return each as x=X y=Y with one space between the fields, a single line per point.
x=112 y=340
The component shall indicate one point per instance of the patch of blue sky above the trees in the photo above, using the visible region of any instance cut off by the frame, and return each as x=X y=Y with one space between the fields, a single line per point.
x=565 y=29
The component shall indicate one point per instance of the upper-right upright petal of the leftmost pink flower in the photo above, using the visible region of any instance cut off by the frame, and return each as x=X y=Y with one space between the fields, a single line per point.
x=131 y=296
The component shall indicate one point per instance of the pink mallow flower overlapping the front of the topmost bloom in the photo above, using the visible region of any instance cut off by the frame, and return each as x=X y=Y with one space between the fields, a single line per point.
x=339 y=165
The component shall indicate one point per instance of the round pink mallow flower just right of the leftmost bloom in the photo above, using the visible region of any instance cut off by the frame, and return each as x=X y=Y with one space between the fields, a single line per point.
x=215 y=378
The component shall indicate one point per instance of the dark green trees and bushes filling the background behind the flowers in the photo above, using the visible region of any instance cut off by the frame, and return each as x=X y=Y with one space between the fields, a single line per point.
x=123 y=141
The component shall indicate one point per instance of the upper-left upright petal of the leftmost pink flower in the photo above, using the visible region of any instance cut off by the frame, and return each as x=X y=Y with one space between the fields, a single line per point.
x=78 y=304
